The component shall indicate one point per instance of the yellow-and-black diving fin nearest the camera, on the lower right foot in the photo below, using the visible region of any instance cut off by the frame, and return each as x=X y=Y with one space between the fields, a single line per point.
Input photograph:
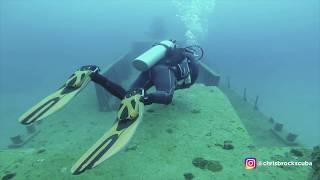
x=129 y=116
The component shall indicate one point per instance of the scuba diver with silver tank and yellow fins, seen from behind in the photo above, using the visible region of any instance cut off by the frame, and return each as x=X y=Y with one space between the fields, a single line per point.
x=164 y=66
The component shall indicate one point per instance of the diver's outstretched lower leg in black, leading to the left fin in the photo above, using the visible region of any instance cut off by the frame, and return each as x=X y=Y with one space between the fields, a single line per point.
x=108 y=85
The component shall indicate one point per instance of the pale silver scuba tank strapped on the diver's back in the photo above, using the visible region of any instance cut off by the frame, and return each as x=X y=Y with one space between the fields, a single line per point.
x=153 y=55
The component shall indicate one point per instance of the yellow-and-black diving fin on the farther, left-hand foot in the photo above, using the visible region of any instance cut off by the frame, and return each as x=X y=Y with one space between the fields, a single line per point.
x=58 y=99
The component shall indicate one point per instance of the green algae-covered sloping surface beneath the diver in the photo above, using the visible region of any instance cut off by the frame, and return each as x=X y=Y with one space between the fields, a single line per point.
x=198 y=136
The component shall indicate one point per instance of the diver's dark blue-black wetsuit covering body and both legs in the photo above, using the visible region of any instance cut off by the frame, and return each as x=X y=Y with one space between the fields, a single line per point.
x=166 y=76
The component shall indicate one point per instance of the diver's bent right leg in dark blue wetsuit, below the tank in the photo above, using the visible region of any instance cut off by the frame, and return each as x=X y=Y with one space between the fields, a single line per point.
x=164 y=80
